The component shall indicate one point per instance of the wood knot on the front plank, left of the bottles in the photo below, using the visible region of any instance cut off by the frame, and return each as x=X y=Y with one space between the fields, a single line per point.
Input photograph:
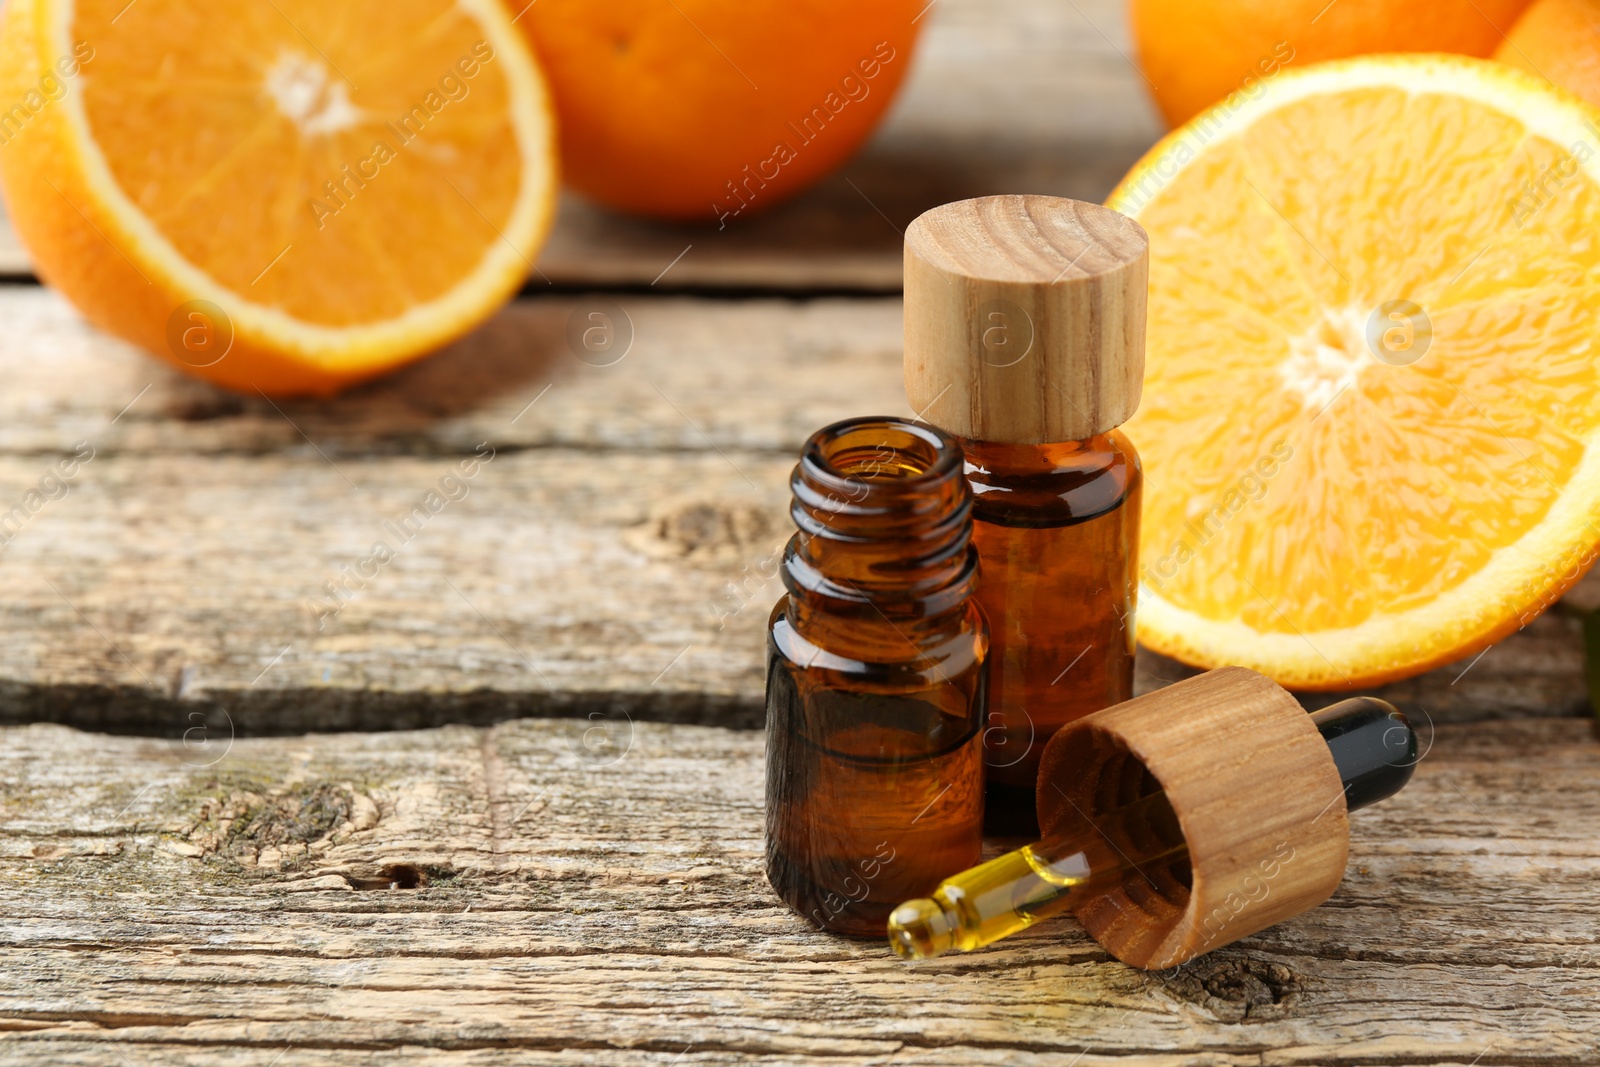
x=281 y=828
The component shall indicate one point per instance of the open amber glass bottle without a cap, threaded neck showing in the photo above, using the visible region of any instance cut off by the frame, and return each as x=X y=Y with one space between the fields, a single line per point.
x=876 y=677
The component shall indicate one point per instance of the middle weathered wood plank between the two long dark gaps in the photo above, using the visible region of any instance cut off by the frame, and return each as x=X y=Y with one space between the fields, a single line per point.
x=618 y=551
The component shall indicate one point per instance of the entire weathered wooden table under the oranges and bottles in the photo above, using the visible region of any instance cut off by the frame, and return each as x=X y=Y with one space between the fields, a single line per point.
x=527 y=825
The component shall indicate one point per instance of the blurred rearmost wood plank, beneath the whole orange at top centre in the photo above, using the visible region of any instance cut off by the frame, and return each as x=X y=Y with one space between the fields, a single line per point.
x=1004 y=97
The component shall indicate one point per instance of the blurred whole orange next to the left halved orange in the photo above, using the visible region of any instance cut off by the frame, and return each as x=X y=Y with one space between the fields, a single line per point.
x=716 y=110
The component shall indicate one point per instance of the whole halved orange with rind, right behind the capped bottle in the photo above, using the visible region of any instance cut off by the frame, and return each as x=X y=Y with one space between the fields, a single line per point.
x=1372 y=406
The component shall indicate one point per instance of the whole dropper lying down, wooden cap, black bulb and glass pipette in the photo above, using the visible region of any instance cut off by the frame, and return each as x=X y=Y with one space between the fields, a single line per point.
x=1180 y=823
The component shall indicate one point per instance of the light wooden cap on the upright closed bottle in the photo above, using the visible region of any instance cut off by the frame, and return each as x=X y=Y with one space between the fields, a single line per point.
x=1025 y=319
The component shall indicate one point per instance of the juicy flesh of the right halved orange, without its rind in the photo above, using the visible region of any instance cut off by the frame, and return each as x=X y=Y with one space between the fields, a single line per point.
x=1388 y=486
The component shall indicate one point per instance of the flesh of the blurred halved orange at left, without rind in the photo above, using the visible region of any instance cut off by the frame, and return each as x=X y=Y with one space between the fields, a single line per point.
x=276 y=100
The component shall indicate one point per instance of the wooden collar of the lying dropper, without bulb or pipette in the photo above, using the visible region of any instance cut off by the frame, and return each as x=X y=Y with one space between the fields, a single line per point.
x=1257 y=794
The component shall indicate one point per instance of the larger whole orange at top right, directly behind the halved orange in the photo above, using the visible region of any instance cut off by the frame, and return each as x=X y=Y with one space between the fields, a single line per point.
x=1199 y=52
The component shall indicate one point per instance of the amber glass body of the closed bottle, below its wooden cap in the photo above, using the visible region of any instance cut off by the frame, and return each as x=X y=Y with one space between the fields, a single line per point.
x=1058 y=538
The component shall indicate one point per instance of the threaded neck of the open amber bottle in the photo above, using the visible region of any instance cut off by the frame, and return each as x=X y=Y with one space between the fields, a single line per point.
x=884 y=518
